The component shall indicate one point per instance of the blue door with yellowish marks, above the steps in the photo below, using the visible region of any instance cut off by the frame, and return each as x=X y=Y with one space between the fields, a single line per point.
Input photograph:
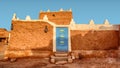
x=61 y=39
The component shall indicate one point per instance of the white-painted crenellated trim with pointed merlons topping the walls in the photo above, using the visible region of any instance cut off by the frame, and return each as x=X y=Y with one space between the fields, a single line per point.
x=73 y=26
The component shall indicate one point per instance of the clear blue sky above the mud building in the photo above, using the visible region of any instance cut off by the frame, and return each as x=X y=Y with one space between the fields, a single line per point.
x=83 y=10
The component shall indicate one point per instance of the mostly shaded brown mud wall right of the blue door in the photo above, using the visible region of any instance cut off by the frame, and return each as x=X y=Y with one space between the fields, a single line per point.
x=94 y=40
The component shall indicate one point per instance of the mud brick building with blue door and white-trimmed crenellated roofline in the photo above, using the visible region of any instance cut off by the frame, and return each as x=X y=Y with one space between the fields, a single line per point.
x=56 y=32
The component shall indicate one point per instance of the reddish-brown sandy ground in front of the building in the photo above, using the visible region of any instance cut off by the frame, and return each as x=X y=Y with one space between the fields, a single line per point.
x=78 y=63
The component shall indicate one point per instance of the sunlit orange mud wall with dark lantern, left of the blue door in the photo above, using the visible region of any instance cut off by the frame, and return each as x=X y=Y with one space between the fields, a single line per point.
x=30 y=35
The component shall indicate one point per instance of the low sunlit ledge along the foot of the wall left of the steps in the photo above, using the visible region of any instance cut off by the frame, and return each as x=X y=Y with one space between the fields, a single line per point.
x=26 y=53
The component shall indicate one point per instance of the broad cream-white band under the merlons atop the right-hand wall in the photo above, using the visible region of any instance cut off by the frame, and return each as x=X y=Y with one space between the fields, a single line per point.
x=94 y=27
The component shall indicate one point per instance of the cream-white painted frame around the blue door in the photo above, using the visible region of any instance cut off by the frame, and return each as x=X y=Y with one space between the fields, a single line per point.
x=54 y=37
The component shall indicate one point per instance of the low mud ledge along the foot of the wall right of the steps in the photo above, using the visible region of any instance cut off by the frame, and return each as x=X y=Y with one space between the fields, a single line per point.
x=95 y=53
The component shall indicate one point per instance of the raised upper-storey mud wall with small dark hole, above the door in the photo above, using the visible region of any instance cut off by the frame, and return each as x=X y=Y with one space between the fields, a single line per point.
x=59 y=18
